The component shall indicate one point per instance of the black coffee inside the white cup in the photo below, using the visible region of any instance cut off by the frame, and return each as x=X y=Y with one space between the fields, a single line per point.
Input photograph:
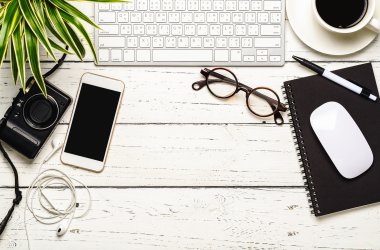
x=342 y=14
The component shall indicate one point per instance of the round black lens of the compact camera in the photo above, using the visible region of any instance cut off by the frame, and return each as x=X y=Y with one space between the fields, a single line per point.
x=40 y=112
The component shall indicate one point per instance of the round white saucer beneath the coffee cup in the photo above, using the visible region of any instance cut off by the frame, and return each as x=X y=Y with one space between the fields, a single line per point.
x=302 y=19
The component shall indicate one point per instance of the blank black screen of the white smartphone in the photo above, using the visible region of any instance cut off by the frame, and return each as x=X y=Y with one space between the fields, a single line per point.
x=92 y=122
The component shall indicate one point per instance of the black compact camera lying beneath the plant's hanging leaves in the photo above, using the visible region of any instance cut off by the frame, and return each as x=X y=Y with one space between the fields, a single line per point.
x=31 y=119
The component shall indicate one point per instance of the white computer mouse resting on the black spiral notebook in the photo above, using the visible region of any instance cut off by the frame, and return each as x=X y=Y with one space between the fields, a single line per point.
x=342 y=139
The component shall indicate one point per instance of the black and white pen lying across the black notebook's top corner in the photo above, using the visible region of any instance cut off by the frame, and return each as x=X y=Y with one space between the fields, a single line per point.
x=360 y=90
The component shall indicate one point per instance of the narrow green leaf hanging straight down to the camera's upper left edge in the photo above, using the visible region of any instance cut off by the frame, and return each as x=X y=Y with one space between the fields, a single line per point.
x=19 y=51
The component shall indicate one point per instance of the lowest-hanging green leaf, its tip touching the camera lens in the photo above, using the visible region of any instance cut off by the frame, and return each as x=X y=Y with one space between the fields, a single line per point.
x=32 y=49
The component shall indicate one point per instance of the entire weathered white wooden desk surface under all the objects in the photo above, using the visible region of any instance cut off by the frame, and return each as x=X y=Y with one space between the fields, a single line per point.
x=188 y=171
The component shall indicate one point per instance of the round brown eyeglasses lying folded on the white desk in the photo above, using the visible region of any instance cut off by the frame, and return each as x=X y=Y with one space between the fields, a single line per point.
x=275 y=105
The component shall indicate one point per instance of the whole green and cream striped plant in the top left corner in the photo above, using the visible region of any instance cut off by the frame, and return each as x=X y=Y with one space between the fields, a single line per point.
x=24 y=25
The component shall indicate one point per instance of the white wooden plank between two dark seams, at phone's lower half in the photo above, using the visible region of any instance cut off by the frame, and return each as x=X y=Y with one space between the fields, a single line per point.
x=183 y=155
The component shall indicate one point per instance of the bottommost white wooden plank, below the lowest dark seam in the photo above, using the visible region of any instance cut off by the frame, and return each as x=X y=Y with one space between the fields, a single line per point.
x=199 y=219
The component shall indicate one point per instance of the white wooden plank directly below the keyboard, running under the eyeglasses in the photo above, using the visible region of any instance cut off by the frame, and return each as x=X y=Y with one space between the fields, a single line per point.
x=164 y=95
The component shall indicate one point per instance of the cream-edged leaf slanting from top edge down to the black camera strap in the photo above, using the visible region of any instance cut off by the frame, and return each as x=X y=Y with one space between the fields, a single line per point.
x=34 y=23
